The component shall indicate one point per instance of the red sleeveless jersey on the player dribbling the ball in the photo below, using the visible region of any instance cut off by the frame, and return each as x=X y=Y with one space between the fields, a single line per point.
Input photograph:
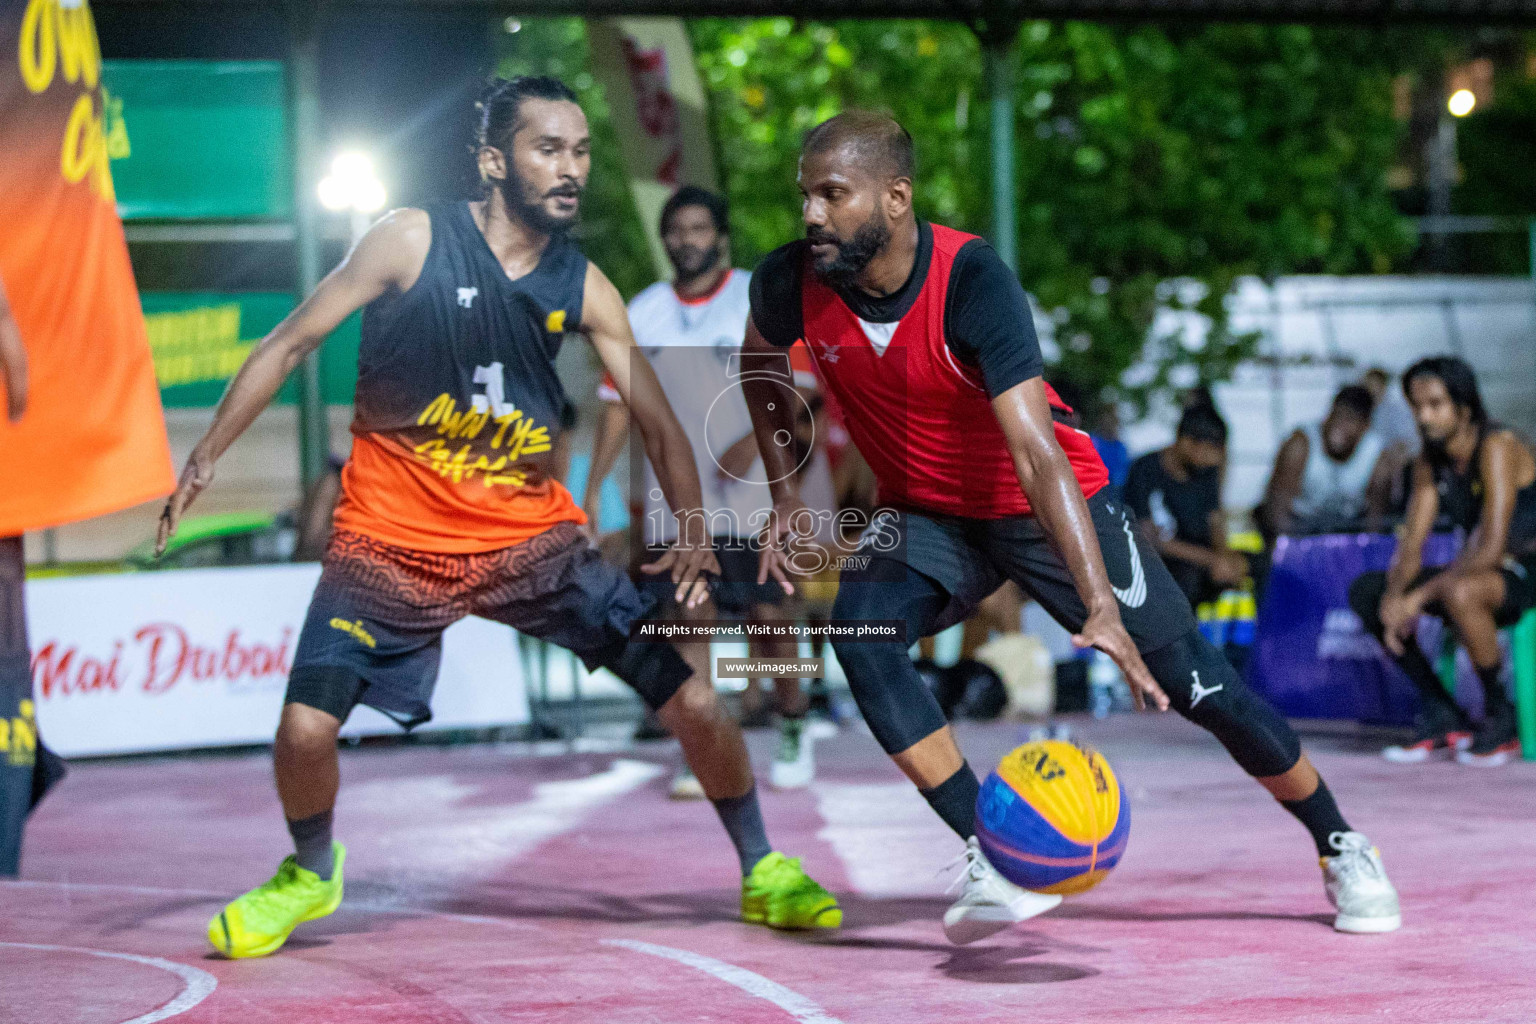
x=919 y=417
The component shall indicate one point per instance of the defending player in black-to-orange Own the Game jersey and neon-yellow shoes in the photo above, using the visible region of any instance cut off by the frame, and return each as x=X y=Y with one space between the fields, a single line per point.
x=449 y=507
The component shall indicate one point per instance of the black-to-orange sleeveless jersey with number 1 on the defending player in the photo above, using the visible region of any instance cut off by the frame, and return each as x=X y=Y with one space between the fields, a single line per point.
x=458 y=403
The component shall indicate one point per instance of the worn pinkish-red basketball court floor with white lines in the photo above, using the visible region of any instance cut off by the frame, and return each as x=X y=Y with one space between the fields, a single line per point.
x=488 y=887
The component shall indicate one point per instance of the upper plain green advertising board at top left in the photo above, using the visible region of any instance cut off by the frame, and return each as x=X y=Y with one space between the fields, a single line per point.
x=199 y=139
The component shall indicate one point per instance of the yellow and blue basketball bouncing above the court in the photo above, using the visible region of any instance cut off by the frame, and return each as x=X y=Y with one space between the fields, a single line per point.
x=1053 y=818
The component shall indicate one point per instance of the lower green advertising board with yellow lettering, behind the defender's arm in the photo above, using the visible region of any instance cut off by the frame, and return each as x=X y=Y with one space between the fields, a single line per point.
x=200 y=339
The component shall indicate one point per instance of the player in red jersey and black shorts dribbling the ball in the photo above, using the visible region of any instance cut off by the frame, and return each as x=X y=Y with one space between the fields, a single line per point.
x=927 y=342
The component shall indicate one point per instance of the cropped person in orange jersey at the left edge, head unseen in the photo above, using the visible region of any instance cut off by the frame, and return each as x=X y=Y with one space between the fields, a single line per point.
x=81 y=424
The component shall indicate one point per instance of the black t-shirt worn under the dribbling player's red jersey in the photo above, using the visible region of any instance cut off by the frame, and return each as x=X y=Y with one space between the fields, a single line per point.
x=988 y=323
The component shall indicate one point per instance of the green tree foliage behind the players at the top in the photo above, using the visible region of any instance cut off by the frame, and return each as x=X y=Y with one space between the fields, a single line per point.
x=1147 y=156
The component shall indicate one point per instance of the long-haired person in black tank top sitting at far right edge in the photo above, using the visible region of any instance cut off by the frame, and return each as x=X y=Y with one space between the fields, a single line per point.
x=1483 y=478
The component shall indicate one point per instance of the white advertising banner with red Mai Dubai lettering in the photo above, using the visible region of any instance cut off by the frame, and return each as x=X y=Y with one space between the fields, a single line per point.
x=200 y=658
